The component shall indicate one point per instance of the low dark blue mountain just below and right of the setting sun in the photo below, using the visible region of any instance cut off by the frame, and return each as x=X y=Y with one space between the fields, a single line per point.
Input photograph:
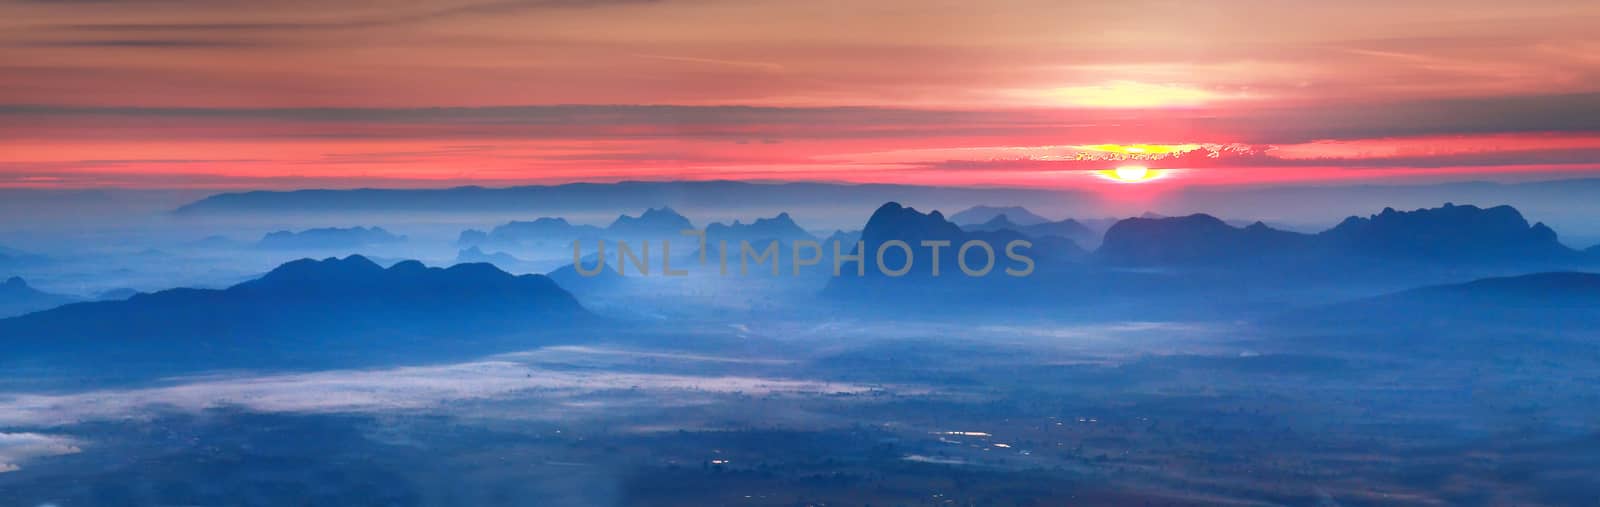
x=1196 y=241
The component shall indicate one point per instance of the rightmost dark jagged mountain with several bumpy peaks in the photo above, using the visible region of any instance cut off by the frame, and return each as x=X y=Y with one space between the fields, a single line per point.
x=1449 y=236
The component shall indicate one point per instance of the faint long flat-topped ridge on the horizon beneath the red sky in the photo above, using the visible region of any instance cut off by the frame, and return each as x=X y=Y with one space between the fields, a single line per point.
x=1566 y=202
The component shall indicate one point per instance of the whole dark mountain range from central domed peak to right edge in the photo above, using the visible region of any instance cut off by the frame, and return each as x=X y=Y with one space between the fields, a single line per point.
x=1201 y=266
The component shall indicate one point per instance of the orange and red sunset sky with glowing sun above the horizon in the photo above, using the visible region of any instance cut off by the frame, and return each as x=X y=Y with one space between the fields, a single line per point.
x=1023 y=94
